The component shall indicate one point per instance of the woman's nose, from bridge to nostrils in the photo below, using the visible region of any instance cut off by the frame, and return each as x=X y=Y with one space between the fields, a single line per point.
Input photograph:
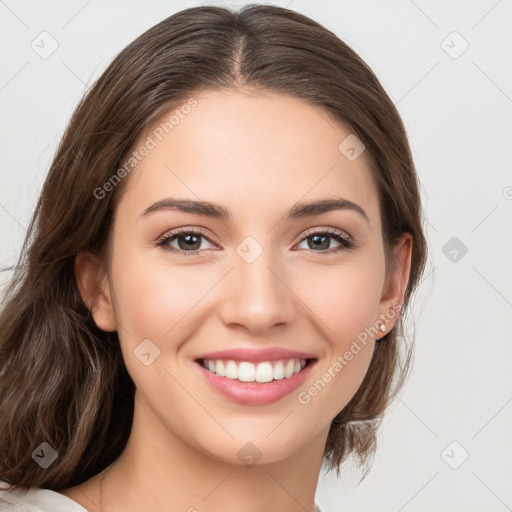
x=256 y=296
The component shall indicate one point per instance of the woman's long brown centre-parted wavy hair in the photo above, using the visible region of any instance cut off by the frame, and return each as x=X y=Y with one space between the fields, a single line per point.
x=62 y=379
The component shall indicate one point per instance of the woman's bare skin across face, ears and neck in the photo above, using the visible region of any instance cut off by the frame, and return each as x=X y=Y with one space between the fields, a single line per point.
x=256 y=154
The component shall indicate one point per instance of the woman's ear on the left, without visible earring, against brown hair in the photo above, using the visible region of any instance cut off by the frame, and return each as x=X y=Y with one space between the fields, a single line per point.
x=95 y=290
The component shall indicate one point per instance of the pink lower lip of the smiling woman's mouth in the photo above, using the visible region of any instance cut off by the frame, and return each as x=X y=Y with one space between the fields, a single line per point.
x=255 y=393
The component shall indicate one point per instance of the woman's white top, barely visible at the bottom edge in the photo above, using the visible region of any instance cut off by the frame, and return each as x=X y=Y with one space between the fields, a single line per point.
x=42 y=500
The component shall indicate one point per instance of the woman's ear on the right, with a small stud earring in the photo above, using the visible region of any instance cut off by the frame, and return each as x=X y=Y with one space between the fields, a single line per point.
x=396 y=284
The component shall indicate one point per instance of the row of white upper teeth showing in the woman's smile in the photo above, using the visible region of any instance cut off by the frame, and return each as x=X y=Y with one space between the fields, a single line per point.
x=261 y=372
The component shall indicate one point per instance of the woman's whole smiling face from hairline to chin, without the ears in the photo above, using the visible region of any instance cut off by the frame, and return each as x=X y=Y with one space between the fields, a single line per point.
x=262 y=285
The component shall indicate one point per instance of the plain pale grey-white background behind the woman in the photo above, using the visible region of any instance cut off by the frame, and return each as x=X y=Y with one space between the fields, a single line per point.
x=457 y=113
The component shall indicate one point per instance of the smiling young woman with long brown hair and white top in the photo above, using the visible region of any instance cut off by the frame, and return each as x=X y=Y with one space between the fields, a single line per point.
x=210 y=299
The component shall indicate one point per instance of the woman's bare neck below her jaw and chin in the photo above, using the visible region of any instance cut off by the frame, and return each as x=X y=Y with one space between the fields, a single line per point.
x=157 y=470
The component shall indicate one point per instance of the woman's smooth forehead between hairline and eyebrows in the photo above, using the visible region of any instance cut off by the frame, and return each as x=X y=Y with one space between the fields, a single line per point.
x=255 y=152
